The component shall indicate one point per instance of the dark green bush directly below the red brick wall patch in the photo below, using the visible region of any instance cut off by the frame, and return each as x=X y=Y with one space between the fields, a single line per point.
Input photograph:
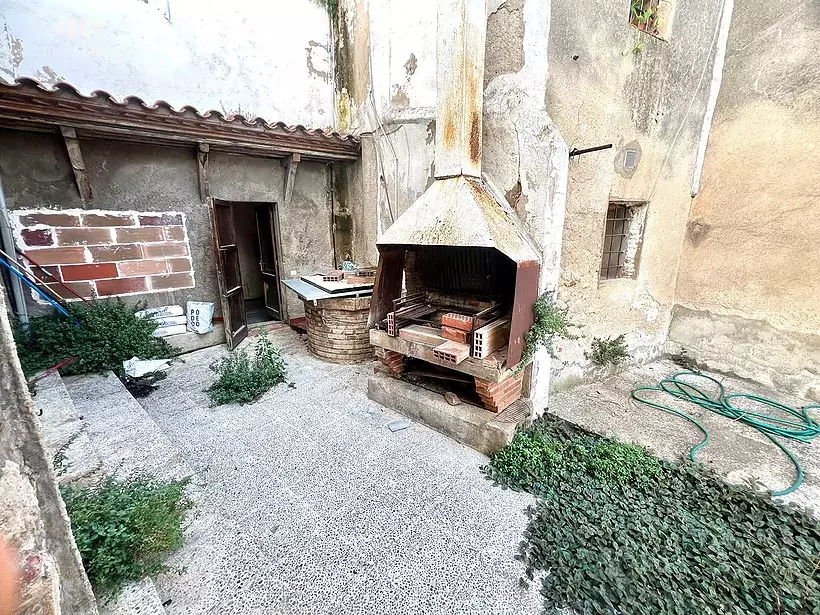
x=109 y=333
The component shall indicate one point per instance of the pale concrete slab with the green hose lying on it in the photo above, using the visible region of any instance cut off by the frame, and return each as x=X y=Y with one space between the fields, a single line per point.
x=738 y=452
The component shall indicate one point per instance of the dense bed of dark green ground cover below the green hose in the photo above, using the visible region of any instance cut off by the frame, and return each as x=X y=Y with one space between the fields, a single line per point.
x=619 y=532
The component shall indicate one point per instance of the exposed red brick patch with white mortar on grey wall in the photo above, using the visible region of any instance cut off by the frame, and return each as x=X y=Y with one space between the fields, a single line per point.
x=107 y=253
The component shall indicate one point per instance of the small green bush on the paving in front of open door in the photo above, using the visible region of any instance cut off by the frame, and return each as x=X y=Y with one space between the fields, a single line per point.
x=243 y=379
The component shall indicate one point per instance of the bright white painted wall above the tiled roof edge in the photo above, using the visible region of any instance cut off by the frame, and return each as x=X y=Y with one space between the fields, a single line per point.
x=259 y=57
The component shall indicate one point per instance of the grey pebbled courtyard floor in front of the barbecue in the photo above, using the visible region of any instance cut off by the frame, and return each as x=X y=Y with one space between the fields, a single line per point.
x=310 y=504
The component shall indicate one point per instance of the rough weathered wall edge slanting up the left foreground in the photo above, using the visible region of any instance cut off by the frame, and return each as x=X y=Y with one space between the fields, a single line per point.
x=32 y=515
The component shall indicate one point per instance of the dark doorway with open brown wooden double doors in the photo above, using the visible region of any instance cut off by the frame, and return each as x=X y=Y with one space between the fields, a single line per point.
x=247 y=265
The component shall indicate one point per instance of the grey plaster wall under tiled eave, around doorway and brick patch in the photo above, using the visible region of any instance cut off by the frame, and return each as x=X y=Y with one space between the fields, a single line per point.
x=37 y=174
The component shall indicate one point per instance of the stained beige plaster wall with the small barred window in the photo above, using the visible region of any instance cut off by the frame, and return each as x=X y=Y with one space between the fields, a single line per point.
x=609 y=83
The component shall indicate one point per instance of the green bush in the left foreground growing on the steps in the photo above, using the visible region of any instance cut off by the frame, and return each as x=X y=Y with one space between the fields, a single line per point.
x=124 y=529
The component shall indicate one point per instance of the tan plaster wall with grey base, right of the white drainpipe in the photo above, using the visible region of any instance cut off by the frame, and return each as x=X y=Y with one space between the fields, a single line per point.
x=749 y=279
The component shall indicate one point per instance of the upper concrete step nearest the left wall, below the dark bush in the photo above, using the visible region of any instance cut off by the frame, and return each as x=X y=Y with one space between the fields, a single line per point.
x=64 y=433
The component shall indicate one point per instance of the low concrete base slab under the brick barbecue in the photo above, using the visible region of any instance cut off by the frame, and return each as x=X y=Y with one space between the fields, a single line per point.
x=485 y=431
